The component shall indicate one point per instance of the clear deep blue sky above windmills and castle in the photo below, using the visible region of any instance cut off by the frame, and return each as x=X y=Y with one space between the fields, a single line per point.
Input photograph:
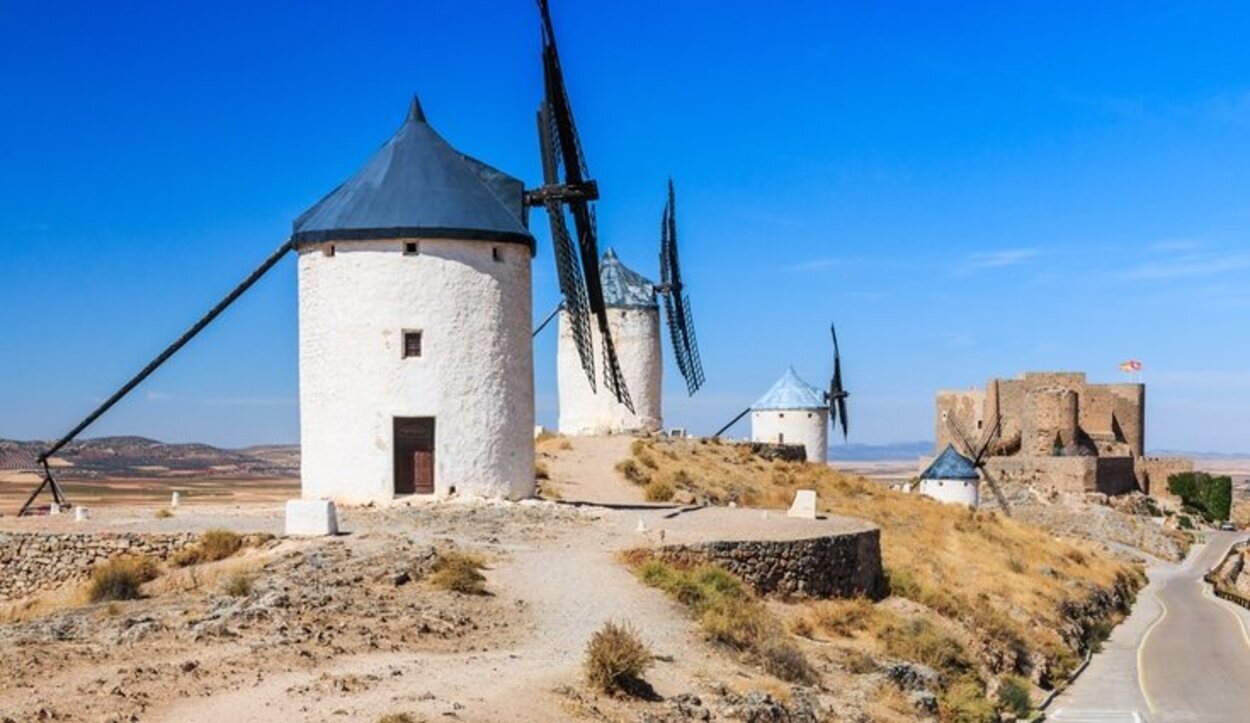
x=969 y=192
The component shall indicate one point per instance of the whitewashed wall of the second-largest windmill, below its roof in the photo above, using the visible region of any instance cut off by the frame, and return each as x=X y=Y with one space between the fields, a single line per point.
x=637 y=336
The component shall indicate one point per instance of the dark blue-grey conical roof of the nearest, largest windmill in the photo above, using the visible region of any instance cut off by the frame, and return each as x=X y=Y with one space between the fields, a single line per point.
x=417 y=186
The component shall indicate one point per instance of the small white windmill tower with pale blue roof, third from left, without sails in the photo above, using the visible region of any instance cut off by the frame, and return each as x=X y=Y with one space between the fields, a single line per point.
x=793 y=412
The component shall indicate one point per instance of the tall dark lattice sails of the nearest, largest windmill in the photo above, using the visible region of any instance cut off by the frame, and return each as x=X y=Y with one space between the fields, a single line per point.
x=567 y=186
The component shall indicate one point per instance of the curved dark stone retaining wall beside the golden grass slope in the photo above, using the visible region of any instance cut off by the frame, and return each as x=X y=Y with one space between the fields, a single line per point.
x=842 y=566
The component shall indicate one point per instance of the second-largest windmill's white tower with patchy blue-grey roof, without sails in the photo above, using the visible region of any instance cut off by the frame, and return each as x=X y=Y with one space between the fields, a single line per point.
x=634 y=321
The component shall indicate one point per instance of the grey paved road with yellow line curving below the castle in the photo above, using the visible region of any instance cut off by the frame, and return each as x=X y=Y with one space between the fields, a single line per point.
x=1183 y=656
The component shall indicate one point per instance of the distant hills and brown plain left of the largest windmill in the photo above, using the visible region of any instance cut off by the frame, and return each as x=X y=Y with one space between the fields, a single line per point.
x=112 y=457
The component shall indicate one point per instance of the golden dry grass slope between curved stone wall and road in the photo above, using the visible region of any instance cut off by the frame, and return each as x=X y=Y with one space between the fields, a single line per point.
x=976 y=581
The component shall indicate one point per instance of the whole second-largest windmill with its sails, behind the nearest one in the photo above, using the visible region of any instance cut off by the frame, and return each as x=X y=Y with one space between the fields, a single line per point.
x=633 y=308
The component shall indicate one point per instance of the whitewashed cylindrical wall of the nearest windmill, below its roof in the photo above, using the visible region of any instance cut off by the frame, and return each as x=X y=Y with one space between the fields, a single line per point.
x=476 y=375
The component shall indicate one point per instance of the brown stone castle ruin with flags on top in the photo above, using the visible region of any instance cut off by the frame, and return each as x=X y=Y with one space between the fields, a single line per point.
x=1059 y=433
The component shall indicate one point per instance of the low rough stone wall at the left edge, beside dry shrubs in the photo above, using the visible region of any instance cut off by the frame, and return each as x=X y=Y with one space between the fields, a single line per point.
x=37 y=562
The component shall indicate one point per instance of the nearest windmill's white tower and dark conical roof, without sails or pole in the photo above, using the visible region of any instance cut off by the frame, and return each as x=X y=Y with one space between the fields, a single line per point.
x=417 y=372
